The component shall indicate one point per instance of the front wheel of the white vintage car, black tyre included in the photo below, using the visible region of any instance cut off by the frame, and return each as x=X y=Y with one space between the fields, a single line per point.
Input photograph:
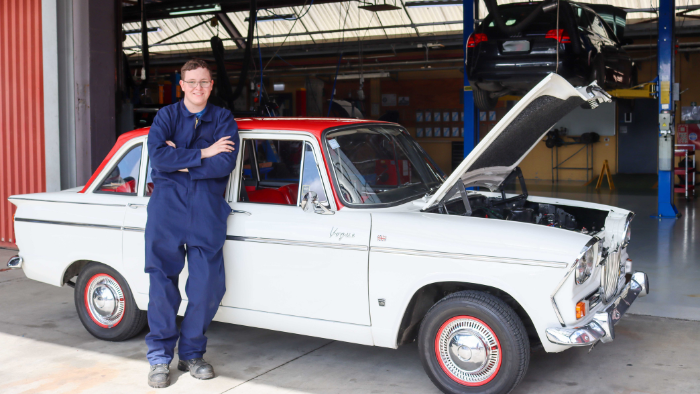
x=473 y=342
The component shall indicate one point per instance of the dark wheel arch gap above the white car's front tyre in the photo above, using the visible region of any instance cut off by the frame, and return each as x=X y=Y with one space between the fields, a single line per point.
x=427 y=296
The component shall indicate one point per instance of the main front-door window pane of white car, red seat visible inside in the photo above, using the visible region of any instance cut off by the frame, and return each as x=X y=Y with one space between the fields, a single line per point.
x=271 y=171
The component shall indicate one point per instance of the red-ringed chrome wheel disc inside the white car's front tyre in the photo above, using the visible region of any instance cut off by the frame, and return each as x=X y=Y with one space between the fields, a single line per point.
x=468 y=351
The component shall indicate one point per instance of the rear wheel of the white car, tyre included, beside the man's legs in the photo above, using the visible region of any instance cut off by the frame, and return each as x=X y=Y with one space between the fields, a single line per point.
x=105 y=304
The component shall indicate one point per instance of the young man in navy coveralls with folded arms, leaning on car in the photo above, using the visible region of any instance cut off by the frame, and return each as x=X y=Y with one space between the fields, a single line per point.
x=192 y=148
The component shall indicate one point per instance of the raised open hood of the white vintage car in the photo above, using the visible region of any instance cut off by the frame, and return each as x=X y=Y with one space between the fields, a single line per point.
x=495 y=157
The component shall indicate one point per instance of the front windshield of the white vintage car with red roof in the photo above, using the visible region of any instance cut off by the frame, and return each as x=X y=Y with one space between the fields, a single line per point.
x=380 y=165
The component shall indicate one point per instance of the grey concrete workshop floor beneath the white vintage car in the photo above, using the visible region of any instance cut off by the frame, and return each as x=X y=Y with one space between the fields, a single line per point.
x=45 y=349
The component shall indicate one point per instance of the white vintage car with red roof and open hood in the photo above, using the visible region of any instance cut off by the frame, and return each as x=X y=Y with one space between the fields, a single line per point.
x=345 y=229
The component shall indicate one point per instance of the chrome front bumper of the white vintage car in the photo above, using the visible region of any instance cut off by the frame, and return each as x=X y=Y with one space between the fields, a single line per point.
x=602 y=328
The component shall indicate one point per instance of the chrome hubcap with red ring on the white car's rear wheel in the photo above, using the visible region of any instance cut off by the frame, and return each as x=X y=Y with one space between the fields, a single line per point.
x=105 y=300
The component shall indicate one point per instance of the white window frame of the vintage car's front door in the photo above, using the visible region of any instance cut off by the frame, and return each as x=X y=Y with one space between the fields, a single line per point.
x=235 y=181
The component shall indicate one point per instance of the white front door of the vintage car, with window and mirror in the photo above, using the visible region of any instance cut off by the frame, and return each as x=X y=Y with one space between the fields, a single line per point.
x=281 y=258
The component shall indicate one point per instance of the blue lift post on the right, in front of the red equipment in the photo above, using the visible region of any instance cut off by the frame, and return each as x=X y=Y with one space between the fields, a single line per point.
x=666 y=56
